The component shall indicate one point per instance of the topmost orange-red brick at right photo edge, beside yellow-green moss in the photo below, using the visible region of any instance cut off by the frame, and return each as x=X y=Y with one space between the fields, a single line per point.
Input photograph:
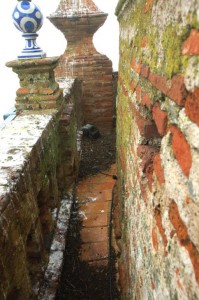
x=191 y=45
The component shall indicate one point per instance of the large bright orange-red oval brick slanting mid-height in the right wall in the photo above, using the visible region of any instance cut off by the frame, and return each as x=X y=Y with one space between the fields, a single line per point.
x=181 y=150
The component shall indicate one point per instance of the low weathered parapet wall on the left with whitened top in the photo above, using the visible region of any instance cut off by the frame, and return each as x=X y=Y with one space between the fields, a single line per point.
x=39 y=162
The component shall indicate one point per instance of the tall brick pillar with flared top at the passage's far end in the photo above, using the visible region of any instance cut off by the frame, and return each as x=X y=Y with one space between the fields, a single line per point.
x=78 y=21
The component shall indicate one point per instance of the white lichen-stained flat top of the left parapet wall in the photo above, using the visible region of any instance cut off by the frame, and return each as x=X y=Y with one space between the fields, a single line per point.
x=18 y=137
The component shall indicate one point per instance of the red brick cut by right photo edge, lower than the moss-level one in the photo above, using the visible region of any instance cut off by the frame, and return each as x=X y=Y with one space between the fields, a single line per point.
x=192 y=106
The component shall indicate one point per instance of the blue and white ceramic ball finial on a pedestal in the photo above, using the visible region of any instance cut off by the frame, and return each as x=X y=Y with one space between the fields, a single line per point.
x=28 y=18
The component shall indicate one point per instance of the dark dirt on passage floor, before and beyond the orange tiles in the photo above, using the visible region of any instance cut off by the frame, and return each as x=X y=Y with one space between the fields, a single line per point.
x=79 y=280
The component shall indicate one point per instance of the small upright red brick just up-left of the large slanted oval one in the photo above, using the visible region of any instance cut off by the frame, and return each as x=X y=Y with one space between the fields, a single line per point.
x=160 y=118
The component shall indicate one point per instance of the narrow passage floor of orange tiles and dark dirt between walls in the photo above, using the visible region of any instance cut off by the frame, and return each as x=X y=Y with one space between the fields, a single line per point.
x=89 y=268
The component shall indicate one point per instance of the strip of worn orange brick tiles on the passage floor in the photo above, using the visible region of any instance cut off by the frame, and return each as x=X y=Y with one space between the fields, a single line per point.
x=94 y=196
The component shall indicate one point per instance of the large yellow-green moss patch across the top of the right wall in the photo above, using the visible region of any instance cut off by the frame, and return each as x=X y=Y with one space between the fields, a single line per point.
x=163 y=50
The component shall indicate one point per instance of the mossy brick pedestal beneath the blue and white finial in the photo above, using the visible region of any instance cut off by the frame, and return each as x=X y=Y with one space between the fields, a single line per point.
x=38 y=88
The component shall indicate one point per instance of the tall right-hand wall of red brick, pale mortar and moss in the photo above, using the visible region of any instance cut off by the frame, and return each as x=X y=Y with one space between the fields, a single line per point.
x=158 y=149
